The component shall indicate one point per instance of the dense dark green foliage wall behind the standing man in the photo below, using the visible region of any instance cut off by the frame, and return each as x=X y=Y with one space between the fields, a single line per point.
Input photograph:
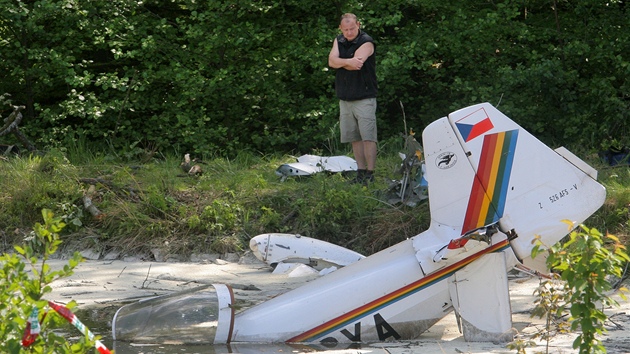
x=218 y=77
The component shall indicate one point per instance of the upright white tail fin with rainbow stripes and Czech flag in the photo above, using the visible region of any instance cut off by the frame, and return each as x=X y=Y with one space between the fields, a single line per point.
x=485 y=169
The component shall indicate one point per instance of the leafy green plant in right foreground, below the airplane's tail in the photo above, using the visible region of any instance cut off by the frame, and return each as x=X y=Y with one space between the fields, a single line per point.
x=586 y=263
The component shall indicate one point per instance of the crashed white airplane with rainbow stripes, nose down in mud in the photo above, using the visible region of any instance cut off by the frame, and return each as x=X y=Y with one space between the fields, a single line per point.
x=492 y=186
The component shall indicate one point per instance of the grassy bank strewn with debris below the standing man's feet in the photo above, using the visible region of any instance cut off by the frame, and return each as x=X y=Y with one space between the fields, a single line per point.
x=145 y=204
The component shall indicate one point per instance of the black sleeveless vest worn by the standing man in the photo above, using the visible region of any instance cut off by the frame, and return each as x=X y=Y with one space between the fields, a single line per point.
x=352 y=85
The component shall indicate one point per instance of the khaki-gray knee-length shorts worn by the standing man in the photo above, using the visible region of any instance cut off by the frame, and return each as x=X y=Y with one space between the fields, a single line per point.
x=357 y=120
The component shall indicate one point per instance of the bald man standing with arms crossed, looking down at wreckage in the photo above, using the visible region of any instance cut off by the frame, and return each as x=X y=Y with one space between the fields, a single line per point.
x=353 y=56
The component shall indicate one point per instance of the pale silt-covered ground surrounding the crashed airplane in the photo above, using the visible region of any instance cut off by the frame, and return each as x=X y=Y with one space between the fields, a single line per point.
x=100 y=287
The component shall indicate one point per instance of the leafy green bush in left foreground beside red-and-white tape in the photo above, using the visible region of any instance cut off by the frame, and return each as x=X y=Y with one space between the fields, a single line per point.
x=23 y=292
